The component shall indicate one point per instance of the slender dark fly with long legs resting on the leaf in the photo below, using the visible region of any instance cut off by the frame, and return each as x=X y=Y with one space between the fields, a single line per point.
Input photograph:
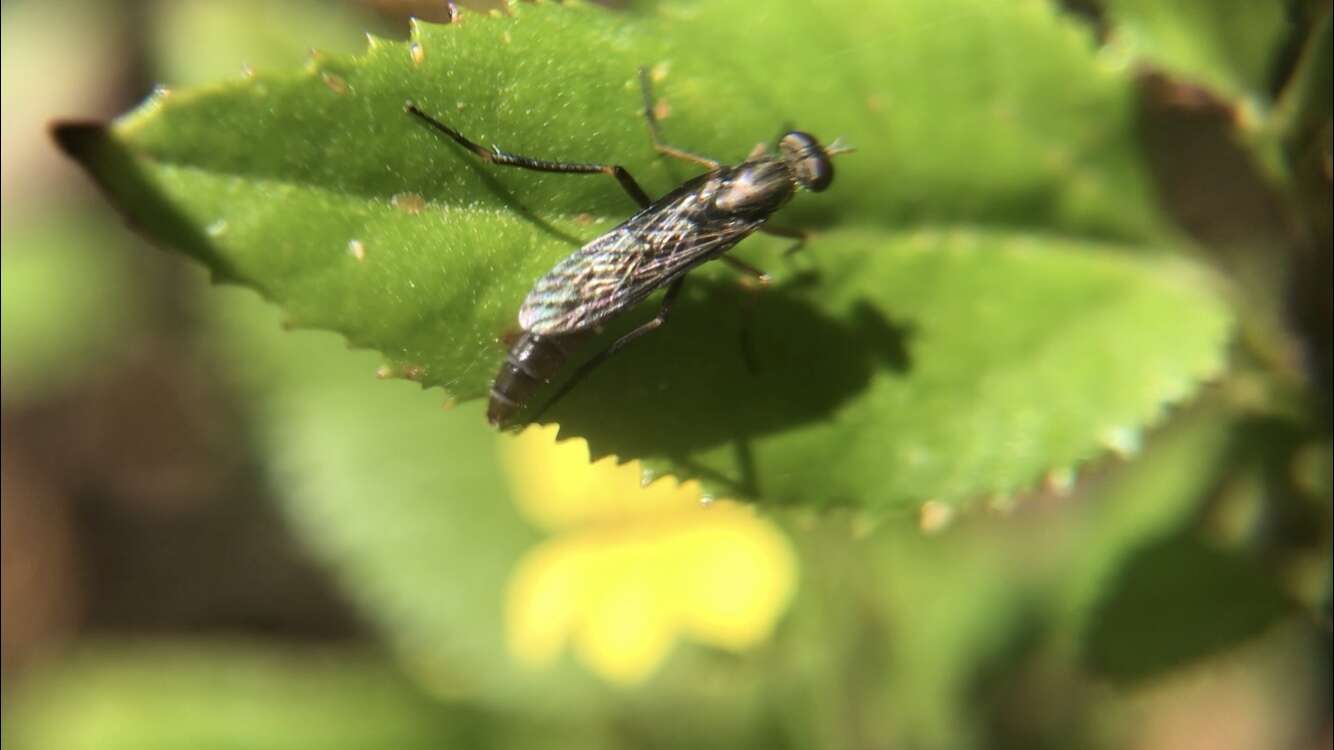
x=698 y=222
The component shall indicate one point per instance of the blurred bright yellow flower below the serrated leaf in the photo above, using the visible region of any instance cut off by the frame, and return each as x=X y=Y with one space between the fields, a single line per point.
x=632 y=569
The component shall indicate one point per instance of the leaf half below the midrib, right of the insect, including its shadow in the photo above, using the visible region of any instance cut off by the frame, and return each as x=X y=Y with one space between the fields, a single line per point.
x=993 y=360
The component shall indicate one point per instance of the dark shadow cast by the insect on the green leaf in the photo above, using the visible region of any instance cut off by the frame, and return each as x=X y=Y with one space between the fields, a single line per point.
x=732 y=365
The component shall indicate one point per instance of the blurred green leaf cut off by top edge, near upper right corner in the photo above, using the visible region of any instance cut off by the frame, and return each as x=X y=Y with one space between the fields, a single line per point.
x=1227 y=46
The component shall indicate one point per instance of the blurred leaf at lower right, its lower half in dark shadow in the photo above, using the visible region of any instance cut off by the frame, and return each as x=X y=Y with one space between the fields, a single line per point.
x=1145 y=592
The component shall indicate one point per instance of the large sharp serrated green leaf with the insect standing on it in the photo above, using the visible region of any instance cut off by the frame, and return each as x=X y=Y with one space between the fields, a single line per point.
x=974 y=309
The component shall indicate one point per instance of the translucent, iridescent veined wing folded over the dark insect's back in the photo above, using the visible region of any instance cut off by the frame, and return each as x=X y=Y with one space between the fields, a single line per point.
x=625 y=266
